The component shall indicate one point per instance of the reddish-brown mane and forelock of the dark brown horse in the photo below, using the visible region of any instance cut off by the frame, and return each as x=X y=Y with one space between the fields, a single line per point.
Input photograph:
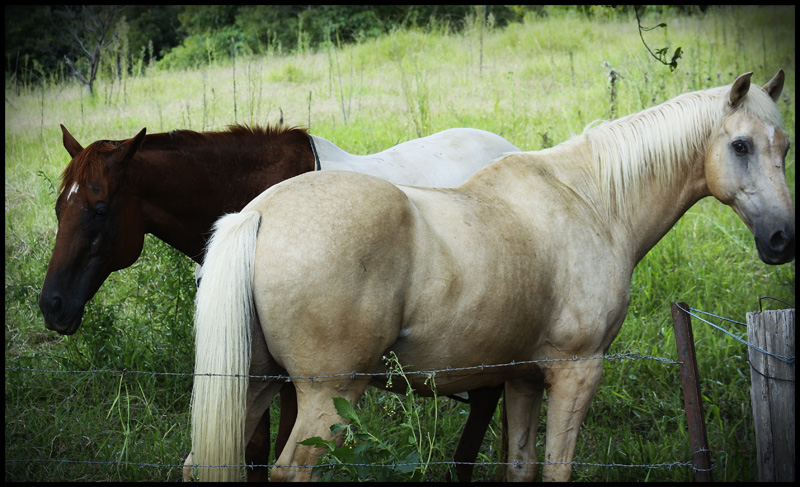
x=91 y=160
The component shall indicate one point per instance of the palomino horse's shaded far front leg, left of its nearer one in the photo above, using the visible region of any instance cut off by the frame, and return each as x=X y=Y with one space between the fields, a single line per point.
x=523 y=403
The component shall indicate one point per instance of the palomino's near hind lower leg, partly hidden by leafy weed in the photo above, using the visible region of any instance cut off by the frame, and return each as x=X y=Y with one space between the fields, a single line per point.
x=315 y=416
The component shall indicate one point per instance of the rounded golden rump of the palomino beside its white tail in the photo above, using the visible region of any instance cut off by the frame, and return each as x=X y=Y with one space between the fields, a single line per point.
x=331 y=271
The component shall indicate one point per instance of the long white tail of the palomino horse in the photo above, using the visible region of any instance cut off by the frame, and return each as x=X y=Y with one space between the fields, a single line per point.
x=224 y=314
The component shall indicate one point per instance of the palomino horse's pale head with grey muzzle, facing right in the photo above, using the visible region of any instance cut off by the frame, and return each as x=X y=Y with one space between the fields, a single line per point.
x=744 y=167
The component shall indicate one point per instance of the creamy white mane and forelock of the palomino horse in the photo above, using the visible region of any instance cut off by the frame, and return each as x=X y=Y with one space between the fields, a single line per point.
x=658 y=144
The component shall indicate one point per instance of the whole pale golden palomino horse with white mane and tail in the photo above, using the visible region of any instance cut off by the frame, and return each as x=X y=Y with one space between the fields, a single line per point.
x=341 y=268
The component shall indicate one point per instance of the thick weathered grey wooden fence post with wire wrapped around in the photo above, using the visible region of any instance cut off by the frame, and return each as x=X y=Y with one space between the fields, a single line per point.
x=772 y=392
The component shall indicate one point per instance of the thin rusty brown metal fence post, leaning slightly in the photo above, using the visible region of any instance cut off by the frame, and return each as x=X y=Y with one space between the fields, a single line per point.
x=698 y=441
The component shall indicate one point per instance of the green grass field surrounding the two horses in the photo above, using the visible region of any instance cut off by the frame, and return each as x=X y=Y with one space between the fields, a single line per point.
x=536 y=84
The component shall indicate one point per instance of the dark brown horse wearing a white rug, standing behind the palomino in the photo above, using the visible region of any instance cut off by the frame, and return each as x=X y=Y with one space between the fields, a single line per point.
x=175 y=185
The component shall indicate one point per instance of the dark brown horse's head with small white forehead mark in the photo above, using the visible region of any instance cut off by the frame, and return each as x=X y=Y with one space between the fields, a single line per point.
x=100 y=229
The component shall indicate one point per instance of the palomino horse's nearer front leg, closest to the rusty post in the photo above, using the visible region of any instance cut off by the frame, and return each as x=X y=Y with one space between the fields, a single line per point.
x=570 y=388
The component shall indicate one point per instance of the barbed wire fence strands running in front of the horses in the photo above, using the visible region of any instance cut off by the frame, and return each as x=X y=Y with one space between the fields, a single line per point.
x=429 y=373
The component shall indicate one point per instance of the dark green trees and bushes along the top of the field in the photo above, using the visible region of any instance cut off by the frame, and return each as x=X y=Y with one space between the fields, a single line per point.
x=187 y=36
